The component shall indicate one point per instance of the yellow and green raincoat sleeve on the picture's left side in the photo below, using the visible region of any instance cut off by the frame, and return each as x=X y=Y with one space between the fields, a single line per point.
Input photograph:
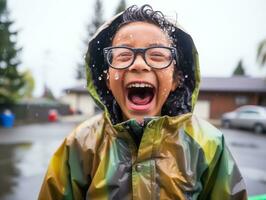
x=68 y=176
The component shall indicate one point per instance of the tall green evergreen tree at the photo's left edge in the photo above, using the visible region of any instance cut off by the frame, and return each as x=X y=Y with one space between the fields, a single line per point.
x=11 y=81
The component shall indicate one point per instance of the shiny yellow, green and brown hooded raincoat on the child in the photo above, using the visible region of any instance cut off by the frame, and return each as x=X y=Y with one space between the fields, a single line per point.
x=174 y=156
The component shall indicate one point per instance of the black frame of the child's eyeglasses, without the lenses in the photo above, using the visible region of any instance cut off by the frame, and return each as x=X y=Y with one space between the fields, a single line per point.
x=142 y=52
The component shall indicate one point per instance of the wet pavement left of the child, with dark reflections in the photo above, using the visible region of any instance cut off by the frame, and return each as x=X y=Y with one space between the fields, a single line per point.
x=25 y=152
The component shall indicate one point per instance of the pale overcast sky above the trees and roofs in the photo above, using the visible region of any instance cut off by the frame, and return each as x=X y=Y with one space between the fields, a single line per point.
x=52 y=34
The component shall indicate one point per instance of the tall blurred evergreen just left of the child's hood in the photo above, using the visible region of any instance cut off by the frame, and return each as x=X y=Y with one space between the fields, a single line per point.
x=96 y=22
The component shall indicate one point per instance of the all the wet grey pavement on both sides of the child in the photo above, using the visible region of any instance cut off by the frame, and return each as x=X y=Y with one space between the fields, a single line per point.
x=25 y=152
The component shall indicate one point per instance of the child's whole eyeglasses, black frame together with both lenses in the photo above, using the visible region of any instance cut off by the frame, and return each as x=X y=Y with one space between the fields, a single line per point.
x=157 y=57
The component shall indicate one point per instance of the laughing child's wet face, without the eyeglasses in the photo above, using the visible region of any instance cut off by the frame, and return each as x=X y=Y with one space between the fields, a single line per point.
x=139 y=89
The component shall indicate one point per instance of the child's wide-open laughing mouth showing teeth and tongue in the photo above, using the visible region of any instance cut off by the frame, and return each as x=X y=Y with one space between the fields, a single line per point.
x=140 y=93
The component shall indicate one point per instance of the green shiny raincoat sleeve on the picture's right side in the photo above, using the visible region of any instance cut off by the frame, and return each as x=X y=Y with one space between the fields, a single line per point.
x=224 y=180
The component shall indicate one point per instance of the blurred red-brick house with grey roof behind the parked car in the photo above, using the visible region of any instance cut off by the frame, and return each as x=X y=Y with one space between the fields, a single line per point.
x=219 y=95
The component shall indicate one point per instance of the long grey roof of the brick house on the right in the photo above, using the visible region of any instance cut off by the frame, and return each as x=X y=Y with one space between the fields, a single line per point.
x=233 y=84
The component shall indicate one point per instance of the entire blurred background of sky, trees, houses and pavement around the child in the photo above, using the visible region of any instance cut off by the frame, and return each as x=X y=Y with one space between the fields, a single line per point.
x=43 y=92
